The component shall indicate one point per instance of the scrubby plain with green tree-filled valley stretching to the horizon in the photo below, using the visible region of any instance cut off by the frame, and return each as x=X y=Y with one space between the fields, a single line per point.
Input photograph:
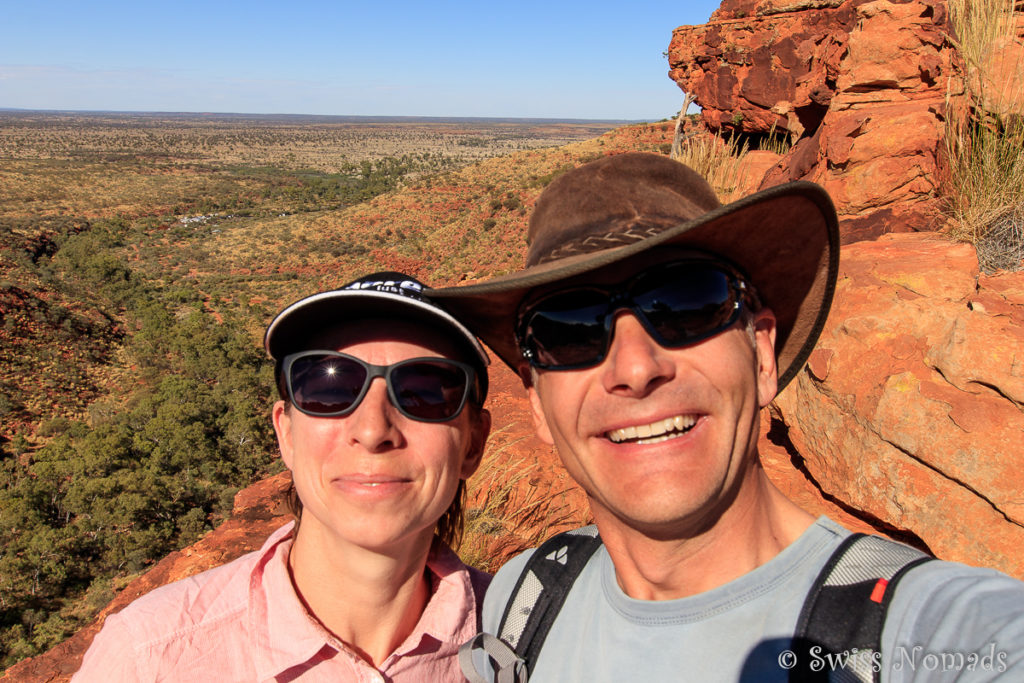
x=142 y=257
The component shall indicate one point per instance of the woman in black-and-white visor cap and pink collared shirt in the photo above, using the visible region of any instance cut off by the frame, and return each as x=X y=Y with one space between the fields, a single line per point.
x=380 y=422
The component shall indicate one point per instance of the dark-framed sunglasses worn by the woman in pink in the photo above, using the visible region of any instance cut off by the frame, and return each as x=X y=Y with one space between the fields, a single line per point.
x=330 y=385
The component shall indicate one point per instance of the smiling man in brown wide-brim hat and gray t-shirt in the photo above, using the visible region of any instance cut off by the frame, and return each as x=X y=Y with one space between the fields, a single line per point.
x=651 y=326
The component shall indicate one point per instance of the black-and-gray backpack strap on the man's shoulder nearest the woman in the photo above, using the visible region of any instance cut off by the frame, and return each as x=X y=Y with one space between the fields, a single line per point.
x=542 y=588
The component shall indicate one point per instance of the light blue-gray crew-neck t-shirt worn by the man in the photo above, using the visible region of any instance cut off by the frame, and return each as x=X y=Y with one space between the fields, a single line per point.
x=947 y=622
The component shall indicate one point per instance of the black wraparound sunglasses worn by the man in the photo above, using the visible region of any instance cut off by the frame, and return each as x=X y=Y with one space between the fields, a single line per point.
x=679 y=304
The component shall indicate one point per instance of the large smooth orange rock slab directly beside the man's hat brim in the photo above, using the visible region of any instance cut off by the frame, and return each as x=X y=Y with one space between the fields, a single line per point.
x=912 y=408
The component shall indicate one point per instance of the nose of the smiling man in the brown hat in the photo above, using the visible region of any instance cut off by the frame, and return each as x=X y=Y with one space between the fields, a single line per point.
x=636 y=364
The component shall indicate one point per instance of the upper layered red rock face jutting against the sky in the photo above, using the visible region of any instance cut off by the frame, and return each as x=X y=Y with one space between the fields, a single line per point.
x=859 y=87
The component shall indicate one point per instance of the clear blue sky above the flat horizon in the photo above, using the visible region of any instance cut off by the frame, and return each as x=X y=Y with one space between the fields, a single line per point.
x=547 y=60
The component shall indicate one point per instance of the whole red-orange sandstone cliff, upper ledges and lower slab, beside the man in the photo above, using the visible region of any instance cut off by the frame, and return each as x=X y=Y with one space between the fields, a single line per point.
x=910 y=413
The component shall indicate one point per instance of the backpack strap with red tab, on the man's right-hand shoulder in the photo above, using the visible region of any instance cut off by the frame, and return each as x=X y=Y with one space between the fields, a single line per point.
x=845 y=611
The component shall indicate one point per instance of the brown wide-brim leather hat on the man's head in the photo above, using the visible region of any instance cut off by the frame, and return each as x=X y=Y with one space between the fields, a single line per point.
x=785 y=239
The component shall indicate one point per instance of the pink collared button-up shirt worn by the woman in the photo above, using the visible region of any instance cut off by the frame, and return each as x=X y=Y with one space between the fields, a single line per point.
x=244 y=622
